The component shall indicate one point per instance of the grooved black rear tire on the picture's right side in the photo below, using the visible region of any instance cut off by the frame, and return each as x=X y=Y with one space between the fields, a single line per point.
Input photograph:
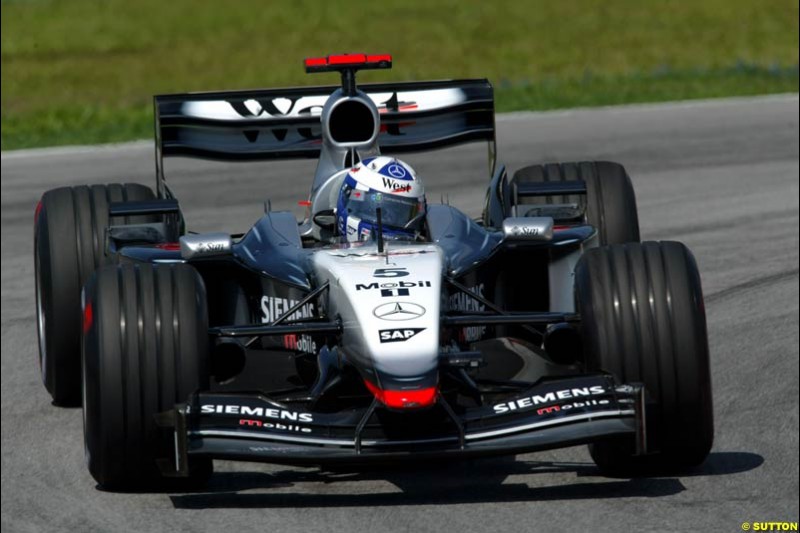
x=610 y=200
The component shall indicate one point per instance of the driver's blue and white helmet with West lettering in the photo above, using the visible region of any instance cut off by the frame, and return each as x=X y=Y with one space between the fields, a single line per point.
x=385 y=183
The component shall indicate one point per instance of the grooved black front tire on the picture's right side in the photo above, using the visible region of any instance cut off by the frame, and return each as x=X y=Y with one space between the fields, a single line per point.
x=643 y=320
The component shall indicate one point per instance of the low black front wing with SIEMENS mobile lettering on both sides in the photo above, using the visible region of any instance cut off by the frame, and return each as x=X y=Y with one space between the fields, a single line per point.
x=551 y=414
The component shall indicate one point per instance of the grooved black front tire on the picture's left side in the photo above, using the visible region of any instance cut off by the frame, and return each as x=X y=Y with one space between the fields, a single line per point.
x=145 y=348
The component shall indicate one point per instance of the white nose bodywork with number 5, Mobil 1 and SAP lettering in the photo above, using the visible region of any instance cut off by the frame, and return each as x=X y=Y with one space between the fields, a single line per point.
x=389 y=305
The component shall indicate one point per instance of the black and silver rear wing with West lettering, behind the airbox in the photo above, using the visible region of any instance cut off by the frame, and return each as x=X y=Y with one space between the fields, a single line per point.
x=285 y=123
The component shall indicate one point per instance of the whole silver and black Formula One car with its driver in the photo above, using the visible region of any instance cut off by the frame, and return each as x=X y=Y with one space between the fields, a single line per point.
x=381 y=326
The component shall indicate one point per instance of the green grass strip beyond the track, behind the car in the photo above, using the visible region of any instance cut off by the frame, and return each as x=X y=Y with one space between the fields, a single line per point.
x=83 y=71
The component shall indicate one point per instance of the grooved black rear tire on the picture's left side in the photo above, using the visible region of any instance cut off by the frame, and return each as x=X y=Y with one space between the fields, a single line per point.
x=69 y=234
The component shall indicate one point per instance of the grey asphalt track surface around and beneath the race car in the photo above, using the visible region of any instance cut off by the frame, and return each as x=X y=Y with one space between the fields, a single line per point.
x=722 y=176
